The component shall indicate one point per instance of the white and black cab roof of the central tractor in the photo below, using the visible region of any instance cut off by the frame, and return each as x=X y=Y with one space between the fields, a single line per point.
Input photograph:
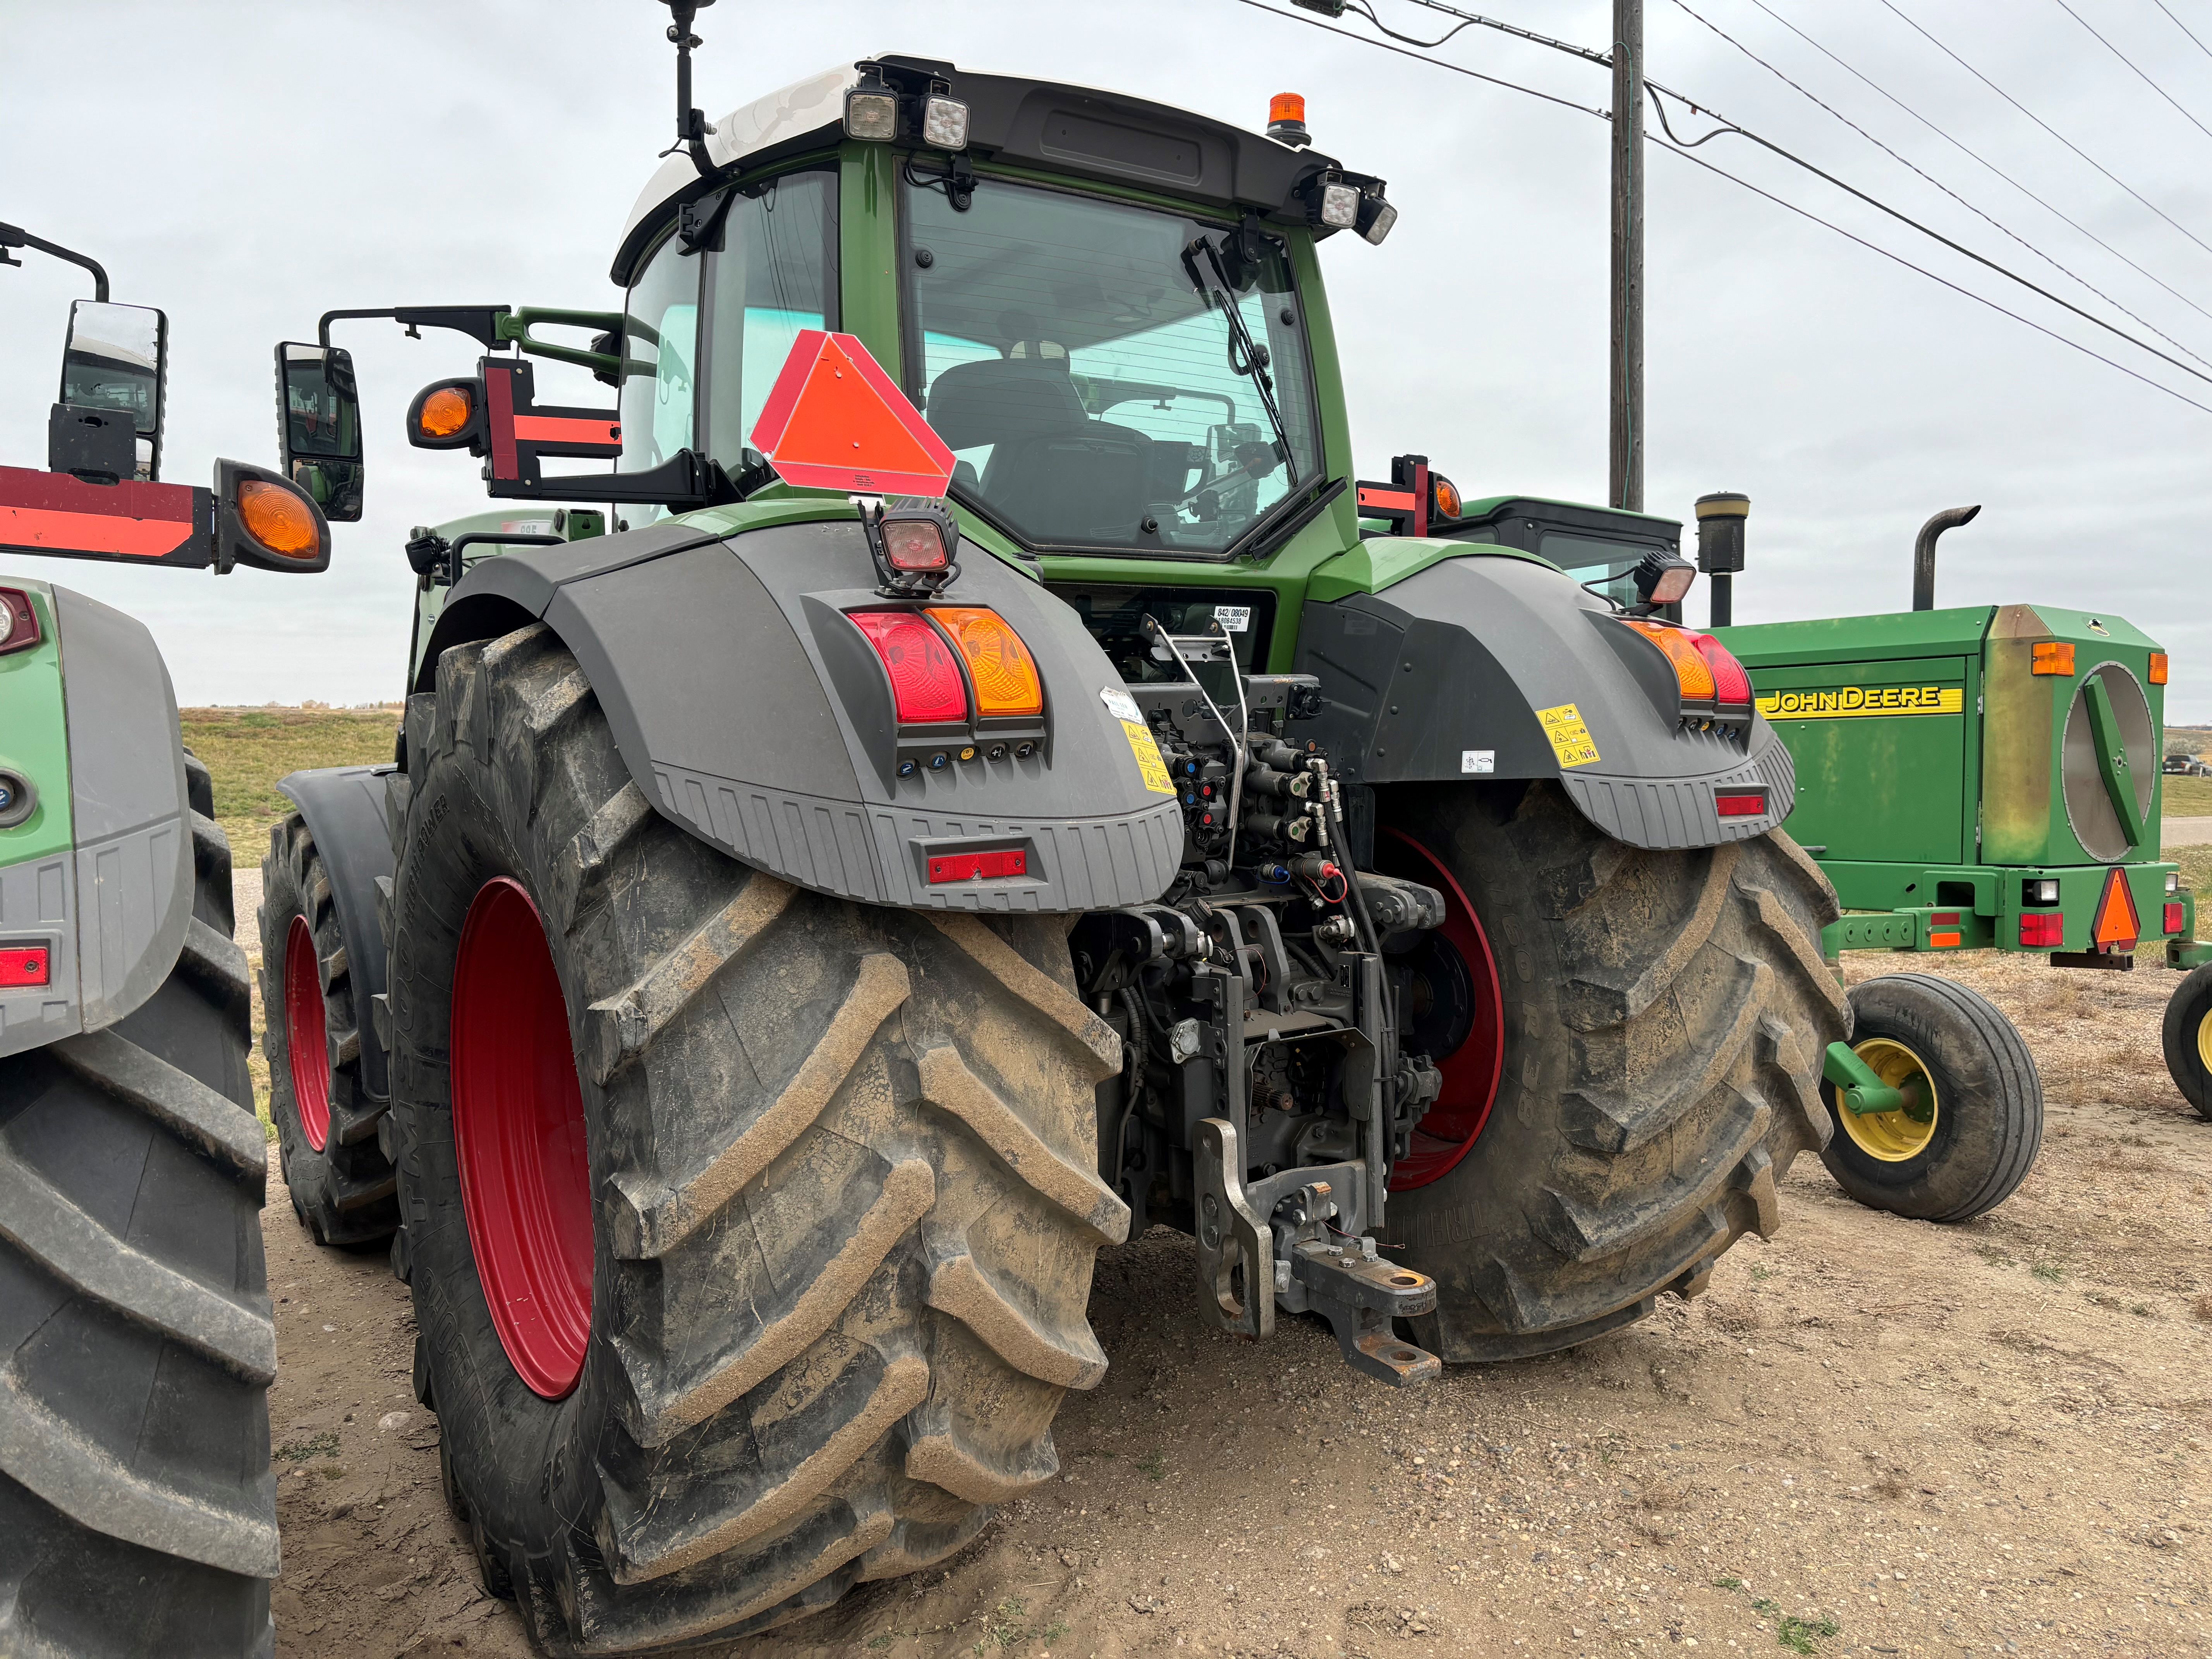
x=1012 y=118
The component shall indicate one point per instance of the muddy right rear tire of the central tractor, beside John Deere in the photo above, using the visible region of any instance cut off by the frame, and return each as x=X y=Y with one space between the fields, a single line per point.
x=1662 y=1019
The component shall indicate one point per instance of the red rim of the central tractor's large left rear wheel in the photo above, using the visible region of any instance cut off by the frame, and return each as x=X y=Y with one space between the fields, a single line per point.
x=519 y=1134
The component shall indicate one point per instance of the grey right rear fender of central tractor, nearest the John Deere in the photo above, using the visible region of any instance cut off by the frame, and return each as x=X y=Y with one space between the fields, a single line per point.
x=1450 y=671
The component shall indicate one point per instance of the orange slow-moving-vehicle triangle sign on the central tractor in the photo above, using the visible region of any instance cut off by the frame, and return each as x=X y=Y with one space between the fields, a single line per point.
x=837 y=421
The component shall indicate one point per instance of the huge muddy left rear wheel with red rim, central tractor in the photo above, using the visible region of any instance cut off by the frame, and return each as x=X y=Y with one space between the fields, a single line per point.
x=791 y=1204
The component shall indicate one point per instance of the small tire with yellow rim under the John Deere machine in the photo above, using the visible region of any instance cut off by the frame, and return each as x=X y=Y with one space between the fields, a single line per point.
x=1976 y=1120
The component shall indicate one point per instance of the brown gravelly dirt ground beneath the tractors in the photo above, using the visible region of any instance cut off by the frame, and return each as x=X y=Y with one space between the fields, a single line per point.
x=1870 y=1437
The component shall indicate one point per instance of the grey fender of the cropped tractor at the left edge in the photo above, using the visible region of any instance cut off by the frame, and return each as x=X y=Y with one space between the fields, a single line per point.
x=114 y=908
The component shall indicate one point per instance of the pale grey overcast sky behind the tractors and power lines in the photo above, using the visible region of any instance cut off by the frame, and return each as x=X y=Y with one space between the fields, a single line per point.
x=249 y=167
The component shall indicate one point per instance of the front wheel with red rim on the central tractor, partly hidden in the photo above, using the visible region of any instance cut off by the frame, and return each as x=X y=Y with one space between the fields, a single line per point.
x=326 y=1125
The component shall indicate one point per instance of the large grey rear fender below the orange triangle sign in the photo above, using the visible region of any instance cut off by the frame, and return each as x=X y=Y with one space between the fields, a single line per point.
x=753 y=713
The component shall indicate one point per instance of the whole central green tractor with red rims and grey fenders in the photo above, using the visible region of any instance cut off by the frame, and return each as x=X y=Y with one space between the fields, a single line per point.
x=988 y=793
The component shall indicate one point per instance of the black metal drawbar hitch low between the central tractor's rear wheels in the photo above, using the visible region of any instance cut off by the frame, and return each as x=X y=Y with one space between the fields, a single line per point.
x=1271 y=1242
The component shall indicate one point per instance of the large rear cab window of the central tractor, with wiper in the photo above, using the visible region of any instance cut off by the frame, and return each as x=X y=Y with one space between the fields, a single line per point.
x=1107 y=377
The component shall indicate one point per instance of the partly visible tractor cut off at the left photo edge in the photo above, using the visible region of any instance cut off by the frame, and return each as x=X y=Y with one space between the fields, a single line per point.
x=138 y=1512
